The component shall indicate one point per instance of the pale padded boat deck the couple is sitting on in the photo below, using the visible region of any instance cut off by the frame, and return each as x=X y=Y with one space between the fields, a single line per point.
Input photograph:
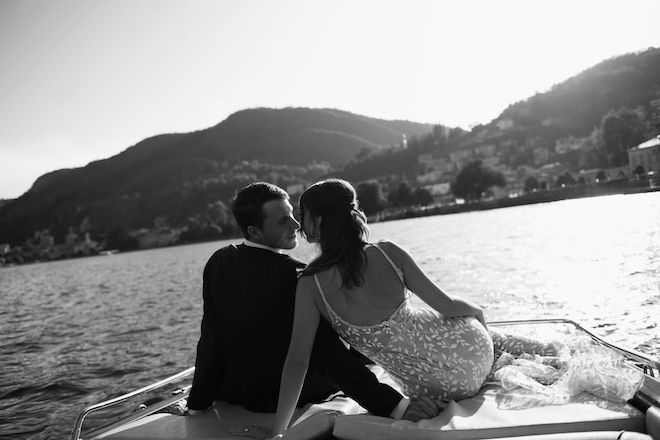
x=493 y=413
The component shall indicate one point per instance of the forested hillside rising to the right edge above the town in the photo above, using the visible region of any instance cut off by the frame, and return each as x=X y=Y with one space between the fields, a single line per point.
x=580 y=114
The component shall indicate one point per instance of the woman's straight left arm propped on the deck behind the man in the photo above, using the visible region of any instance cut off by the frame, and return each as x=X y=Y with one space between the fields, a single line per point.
x=305 y=324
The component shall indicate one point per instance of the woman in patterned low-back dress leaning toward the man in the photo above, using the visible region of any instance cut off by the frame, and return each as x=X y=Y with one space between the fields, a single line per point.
x=362 y=289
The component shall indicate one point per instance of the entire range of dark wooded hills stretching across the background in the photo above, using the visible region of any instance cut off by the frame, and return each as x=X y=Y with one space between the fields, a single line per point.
x=188 y=178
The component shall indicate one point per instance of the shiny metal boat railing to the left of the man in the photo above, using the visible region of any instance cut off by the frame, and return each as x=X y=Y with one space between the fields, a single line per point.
x=77 y=427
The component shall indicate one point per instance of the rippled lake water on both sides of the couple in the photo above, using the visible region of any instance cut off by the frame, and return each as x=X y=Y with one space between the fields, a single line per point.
x=76 y=332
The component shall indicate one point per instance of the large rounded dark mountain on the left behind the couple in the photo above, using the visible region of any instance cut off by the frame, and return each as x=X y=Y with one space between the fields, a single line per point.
x=177 y=176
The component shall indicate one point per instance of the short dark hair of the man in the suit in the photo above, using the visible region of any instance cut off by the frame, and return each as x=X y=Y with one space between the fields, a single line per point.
x=248 y=204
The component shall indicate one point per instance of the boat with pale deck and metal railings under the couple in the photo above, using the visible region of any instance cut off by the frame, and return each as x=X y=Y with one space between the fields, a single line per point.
x=495 y=412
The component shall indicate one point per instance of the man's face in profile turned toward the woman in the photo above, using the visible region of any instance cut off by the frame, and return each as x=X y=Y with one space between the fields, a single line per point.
x=280 y=227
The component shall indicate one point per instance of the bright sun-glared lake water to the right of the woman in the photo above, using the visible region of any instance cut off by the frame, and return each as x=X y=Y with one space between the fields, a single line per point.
x=595 y=260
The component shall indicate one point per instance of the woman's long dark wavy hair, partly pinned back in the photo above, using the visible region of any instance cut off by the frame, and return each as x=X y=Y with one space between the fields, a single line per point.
x=342 y=232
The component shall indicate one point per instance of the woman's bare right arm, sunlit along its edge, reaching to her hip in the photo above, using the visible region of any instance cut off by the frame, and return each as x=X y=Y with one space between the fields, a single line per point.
x=421 y=285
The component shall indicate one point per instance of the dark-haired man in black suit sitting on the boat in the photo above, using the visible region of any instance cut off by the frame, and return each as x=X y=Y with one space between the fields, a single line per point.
x=249 y=293
